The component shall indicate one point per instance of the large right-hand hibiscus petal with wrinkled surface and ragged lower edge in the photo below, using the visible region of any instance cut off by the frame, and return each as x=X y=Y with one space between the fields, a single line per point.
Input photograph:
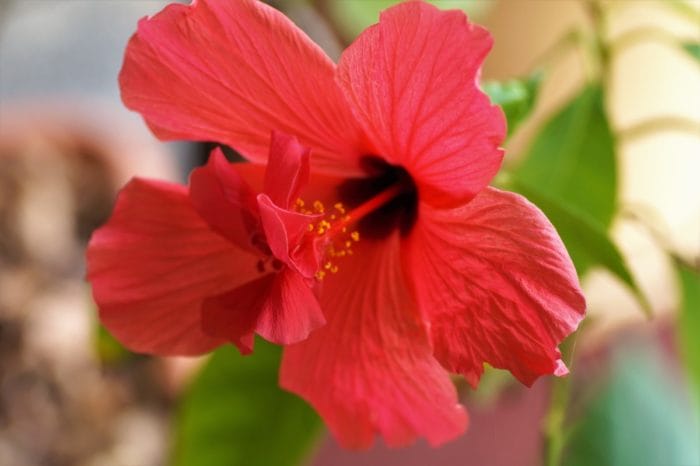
x=497 y=284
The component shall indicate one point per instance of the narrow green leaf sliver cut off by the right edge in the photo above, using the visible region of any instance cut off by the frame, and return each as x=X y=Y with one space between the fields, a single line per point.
x=689 y=322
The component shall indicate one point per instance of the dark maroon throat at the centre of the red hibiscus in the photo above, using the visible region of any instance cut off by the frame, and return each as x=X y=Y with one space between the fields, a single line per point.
x=398 y=211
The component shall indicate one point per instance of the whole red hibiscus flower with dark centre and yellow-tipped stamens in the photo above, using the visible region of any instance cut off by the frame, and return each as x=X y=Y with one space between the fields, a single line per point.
x=448 y=273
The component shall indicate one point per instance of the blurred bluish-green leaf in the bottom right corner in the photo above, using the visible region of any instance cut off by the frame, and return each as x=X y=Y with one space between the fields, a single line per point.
x=640 y=417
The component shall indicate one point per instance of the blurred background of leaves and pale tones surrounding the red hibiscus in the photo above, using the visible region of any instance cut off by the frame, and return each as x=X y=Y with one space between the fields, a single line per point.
x=606 y=99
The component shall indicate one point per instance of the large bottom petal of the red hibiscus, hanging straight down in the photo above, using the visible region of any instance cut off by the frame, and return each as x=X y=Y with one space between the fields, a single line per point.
x=371 y=369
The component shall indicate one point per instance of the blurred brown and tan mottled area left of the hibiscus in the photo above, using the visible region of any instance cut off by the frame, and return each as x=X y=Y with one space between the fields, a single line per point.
x=60 y=169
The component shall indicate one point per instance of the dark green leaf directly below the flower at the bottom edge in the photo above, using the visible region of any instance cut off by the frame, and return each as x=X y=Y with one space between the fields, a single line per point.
x=236 y=415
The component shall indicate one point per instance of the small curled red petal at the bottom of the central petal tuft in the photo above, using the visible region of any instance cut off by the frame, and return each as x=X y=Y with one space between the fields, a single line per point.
x=280 y=307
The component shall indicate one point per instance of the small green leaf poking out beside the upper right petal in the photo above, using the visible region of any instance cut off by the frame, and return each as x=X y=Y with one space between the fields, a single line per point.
x=516 y=97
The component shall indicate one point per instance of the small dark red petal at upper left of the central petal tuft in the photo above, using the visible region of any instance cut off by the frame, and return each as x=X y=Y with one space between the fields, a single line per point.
x=223 y=198
